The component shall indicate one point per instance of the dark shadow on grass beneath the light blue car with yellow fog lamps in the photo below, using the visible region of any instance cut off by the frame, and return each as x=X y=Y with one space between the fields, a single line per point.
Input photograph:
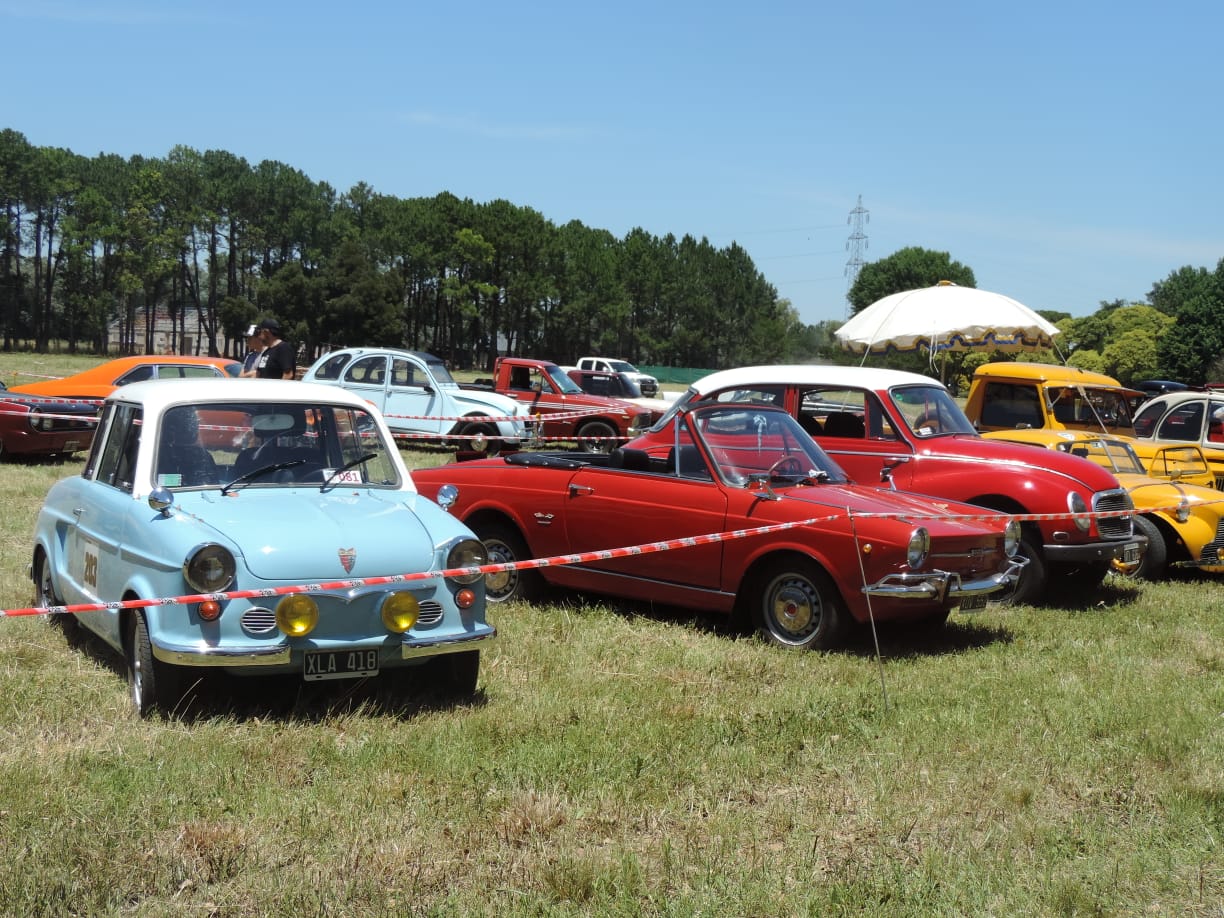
x=211 y=695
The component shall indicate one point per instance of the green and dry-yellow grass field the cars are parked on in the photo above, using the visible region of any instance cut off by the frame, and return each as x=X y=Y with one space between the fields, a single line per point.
x=629 y=761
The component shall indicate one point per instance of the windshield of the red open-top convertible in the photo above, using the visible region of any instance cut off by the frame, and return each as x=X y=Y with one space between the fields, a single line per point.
x=752 y=442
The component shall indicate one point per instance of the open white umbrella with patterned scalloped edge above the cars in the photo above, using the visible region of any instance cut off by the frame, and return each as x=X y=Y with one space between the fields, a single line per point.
x=946 y=318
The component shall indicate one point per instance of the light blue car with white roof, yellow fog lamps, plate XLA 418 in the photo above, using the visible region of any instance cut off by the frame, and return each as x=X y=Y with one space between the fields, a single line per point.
x=291 y=495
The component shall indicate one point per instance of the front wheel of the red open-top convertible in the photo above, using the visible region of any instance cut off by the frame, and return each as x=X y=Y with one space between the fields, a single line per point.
x=799 y=606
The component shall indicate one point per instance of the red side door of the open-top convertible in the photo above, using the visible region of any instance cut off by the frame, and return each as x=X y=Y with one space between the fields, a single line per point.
x=613 y=509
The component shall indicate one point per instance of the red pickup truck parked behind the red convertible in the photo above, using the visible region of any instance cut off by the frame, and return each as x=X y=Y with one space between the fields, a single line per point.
x=597 y=424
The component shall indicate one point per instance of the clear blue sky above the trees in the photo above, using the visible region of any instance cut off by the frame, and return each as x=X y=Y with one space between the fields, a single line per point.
x=1069 y=154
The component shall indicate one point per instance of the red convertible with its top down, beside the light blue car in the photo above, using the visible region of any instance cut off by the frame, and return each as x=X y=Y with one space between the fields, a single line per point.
x=834 y=554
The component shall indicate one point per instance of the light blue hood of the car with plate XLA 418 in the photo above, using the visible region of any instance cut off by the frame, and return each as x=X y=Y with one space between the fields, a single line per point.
x=303 y=535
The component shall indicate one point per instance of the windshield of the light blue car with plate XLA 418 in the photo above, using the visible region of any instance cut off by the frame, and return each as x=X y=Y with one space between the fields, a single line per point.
x=270 y=445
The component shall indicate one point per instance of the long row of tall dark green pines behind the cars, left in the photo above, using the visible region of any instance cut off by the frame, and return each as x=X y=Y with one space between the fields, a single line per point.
x=101 y=245
